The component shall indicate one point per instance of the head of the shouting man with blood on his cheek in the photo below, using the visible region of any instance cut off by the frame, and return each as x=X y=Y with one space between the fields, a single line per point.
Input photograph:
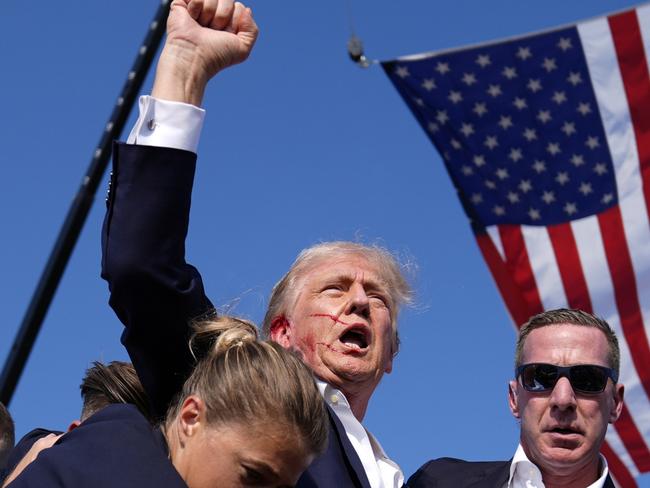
x=338 y=306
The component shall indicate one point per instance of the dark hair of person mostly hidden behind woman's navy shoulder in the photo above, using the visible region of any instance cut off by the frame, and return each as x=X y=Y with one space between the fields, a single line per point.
x=115 y=382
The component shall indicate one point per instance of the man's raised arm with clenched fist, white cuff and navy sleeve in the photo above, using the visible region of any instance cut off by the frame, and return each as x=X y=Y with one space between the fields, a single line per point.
x=154 y=292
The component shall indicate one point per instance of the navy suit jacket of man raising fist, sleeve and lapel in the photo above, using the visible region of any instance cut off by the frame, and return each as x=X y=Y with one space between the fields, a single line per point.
x=155 y=292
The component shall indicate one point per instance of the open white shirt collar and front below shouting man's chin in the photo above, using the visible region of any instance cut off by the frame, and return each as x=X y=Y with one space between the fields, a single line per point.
x=381 y=471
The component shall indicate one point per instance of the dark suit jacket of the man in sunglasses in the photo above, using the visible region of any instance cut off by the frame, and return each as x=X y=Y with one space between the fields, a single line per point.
x=456 y=473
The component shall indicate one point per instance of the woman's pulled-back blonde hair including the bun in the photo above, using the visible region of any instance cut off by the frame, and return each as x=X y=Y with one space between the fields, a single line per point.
x=241 y=379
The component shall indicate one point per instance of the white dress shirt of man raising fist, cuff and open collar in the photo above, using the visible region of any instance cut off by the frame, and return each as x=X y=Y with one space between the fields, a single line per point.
x=178 y=125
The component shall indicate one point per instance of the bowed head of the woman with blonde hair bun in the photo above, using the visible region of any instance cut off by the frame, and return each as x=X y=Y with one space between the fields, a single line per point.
x=249 y=414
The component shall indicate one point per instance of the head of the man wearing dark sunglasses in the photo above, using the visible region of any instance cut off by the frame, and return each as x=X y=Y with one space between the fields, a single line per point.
x=565 y=391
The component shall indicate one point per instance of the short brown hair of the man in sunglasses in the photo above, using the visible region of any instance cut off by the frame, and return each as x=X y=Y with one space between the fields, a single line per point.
x=573 y=317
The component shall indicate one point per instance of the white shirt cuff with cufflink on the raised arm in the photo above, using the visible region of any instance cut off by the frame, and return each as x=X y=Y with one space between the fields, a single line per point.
x=167 y=124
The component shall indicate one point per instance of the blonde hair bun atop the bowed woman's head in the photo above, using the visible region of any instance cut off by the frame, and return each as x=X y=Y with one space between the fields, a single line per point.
x=215 y=336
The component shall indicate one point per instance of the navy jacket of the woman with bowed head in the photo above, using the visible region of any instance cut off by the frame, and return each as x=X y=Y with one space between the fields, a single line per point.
x=116 y=447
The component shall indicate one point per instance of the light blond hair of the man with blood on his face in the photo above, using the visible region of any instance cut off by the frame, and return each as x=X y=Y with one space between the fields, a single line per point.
x=285 y=291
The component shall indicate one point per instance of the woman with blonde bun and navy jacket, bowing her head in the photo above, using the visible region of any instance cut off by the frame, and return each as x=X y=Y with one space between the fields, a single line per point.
x=248 y=415
